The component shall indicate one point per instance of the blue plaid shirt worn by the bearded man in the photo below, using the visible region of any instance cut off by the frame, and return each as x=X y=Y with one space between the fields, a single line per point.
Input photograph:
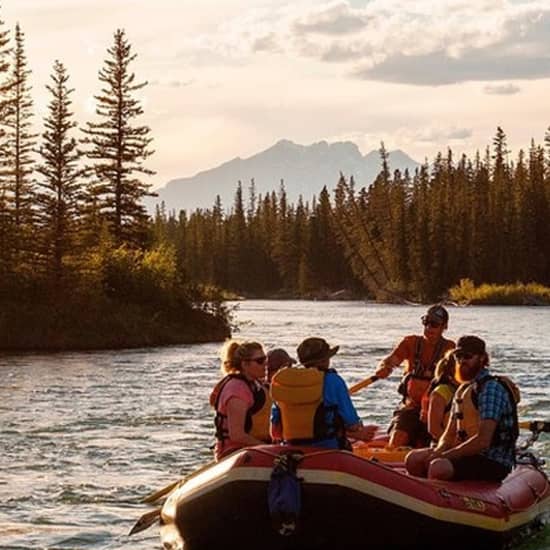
x=494 y=403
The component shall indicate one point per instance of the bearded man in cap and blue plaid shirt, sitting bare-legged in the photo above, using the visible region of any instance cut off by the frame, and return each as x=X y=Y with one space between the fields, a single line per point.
x=480 y=438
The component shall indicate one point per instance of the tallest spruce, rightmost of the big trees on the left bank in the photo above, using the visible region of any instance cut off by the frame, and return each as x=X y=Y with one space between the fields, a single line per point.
x=119 y=148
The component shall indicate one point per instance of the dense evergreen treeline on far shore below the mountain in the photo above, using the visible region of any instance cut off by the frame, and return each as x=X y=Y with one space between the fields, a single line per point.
x=404 y=237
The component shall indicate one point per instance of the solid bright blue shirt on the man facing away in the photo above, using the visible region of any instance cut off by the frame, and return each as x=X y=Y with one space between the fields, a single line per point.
x=337 y=400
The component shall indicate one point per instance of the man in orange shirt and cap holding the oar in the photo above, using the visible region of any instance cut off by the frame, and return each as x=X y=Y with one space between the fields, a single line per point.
x=420 y=353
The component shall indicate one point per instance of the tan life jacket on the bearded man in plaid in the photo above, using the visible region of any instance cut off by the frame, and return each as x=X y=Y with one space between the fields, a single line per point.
x=466 y=413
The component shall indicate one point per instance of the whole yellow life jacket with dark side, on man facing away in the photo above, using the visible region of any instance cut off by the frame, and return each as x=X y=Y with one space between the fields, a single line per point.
x=298 y=392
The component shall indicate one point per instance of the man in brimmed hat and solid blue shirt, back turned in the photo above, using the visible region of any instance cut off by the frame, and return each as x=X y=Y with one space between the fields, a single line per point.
x=311 y=402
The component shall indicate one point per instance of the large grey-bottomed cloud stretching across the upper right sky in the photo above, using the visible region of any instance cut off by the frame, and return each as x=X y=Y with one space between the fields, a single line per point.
x=420 y=43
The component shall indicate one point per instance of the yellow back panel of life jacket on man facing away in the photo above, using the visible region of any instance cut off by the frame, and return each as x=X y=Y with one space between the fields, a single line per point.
x=298 y=392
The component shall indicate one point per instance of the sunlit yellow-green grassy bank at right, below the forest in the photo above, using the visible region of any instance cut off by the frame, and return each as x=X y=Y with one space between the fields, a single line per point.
x=517 y=294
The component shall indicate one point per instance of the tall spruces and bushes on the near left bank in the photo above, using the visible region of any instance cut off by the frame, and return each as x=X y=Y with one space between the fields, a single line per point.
x=79 y=266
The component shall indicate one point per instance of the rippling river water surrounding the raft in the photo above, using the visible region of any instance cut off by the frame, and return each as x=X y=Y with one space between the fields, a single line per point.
x=84 y=436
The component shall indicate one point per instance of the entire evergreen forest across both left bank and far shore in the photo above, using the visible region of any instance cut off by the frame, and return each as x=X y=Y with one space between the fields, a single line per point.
x=83 y=264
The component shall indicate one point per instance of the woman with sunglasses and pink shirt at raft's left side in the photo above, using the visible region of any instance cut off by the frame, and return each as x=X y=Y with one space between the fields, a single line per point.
x=240 y=398
